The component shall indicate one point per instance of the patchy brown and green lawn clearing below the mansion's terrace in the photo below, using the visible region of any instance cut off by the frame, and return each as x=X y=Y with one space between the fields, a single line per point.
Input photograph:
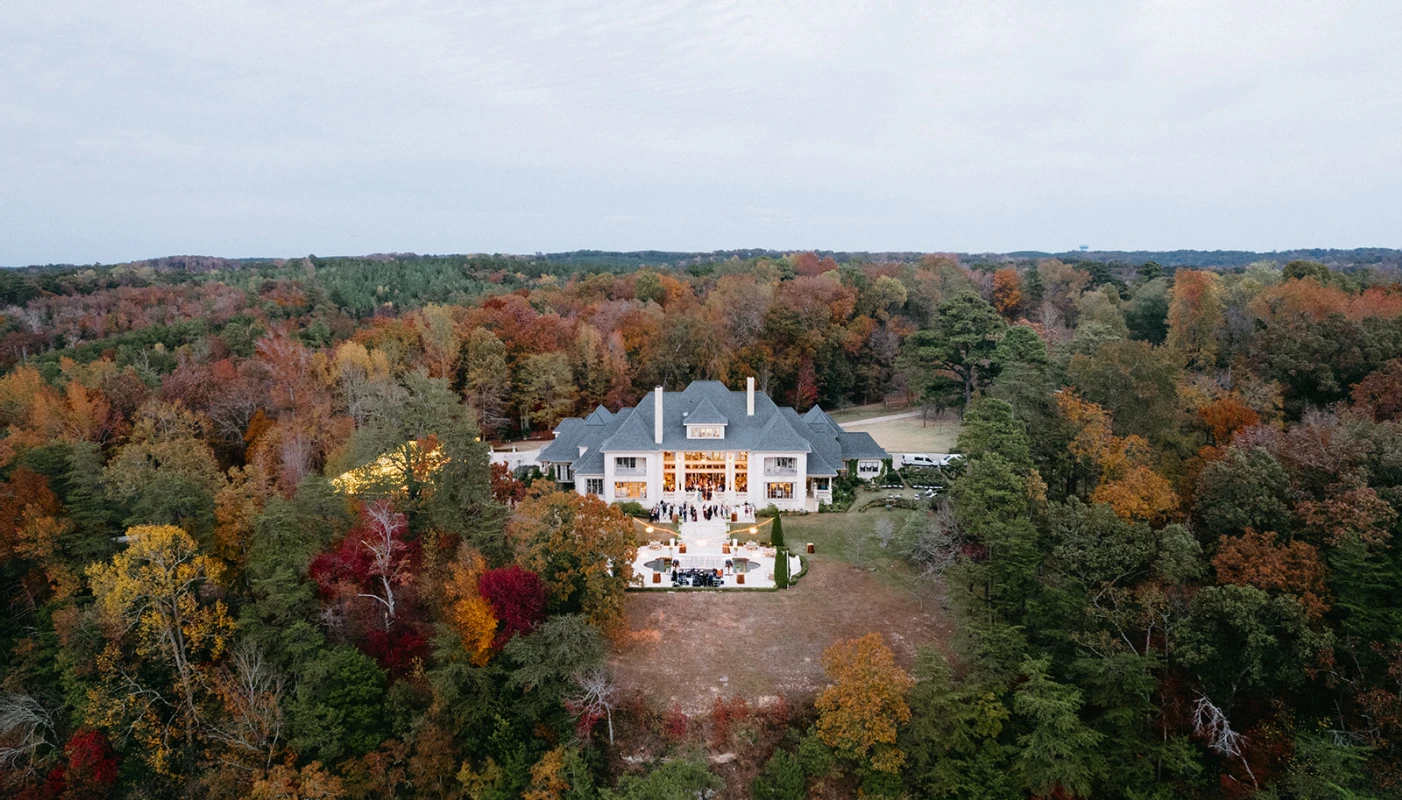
x=689 y=648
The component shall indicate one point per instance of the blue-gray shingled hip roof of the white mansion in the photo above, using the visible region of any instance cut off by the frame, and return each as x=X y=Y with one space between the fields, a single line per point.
x=772 y=429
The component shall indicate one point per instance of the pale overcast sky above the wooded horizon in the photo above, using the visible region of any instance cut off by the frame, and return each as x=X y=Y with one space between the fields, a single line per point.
x=240 y=128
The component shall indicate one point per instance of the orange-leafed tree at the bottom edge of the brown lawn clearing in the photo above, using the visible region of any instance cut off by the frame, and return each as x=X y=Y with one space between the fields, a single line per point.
x=863 y=710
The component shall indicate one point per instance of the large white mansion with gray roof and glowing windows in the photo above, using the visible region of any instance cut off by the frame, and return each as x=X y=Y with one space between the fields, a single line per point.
x=709 y=443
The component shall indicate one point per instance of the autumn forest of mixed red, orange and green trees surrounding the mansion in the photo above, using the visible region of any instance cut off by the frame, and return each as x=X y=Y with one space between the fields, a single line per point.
x=1169 y=558
